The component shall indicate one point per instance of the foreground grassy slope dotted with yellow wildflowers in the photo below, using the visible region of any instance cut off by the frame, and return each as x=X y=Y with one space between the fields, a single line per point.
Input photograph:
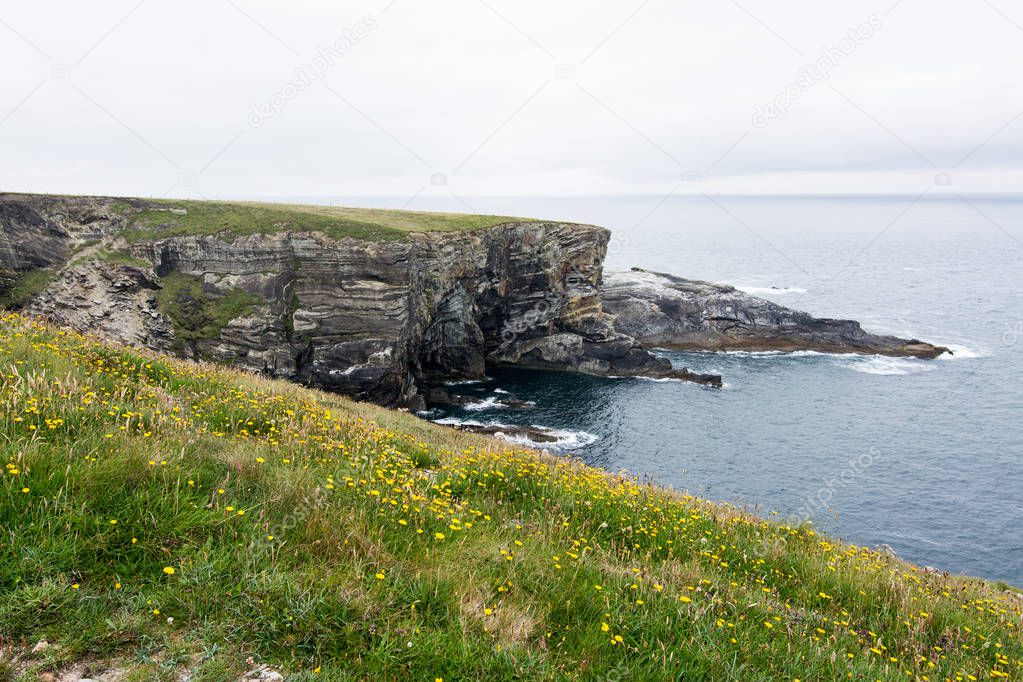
x=317 y=534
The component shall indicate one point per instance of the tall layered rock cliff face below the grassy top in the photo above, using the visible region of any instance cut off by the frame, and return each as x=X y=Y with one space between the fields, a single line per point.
x=378 y=321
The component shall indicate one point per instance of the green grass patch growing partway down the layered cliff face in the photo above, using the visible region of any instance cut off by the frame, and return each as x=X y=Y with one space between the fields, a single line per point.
x=195 y=314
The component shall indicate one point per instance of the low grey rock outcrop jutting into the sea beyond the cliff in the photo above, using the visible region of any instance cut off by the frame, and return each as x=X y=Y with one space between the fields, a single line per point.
x=665 y=311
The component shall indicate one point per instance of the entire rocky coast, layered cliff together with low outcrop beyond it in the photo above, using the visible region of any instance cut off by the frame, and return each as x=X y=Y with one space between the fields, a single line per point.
x=384 y=321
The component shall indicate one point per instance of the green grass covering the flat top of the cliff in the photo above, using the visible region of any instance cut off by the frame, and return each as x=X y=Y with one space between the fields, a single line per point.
x=172 y=218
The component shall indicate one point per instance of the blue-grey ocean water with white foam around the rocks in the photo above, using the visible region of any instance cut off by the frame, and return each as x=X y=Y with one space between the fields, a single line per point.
x=925 y=457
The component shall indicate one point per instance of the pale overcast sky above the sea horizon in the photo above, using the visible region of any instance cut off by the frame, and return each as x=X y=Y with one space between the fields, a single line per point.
x=262 y=100
